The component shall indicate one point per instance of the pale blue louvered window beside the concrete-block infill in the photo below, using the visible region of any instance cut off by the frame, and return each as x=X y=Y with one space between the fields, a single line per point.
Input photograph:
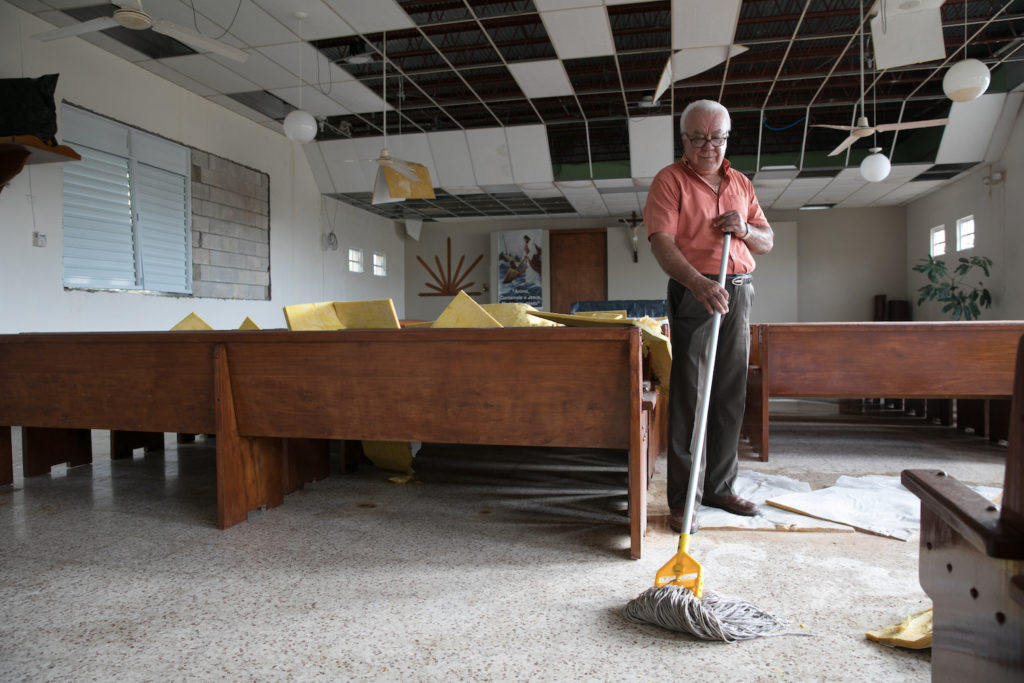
x=127 y=218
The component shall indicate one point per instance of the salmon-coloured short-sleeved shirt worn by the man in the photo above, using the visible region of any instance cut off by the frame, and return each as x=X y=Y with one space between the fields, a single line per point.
x=681 y=204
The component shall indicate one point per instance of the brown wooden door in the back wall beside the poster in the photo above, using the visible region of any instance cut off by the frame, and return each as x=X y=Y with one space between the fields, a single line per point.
x=579 y=267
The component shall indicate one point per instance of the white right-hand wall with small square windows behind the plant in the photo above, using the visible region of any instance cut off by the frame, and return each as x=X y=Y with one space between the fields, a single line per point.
x=999 y=231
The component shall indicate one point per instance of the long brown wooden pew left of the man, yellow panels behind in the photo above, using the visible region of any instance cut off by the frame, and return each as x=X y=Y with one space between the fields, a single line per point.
x=533 y=387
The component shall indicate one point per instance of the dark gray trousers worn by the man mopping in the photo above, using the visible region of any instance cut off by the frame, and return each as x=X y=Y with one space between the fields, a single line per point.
x=692 y=327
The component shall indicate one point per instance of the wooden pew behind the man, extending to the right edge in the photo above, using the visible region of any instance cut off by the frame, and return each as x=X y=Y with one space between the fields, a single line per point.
x=966 y=360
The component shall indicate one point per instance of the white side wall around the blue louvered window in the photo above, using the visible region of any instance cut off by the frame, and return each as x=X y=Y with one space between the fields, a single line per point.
x=32 y=297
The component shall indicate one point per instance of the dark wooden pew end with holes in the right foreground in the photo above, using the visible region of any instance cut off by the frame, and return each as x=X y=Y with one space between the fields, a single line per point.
x=972 y=565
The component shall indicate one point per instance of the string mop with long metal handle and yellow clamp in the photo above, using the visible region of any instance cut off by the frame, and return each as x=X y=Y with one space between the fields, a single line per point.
x=678 y=601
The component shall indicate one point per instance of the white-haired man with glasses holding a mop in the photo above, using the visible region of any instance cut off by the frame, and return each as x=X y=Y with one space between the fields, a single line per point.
x=692 y=205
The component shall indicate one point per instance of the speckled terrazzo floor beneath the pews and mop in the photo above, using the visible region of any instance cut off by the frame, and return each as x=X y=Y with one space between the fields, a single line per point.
x=492 y=565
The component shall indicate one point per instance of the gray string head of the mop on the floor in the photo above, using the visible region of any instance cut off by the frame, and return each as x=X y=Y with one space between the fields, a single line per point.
x=712 y=618
